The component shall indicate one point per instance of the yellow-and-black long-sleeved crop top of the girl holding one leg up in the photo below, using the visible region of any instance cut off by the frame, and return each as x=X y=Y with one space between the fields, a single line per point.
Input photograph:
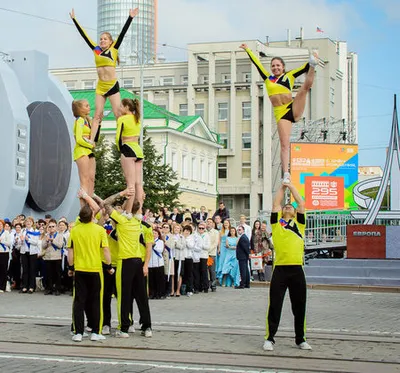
x=277 y=85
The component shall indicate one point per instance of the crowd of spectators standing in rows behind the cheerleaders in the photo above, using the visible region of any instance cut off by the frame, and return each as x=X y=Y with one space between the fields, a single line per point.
x=193 y=252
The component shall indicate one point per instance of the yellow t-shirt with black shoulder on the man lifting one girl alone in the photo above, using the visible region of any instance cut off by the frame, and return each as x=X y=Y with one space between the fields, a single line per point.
x=288 y=238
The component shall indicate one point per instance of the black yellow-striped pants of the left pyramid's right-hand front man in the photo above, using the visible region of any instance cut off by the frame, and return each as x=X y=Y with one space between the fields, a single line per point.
x=131 y=286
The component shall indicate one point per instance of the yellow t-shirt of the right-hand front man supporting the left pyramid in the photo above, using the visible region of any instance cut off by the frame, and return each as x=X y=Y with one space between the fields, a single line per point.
x=128 y=232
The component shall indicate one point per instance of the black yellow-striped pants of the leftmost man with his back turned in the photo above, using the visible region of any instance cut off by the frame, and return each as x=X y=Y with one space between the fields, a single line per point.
x=88 y=297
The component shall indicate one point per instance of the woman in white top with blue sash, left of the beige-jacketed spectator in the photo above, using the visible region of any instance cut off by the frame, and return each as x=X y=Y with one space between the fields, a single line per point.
x=29 y=254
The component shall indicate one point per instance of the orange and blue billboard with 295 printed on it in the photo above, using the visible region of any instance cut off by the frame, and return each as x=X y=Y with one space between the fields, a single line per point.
x=325 y=174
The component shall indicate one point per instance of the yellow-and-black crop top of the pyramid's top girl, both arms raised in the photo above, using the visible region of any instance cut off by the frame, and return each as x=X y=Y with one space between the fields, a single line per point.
x=102 y=57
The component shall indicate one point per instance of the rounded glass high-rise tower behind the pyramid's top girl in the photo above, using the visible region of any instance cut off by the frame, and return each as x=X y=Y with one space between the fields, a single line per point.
x=140 y=43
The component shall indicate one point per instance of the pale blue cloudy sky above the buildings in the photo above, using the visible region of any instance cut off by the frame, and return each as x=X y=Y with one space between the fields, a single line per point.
x=371 y=28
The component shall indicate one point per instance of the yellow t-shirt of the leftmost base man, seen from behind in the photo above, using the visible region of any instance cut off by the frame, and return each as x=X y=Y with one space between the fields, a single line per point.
x=88 y=240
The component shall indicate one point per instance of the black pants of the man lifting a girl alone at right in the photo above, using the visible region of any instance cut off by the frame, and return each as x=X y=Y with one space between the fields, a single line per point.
x=292 y=278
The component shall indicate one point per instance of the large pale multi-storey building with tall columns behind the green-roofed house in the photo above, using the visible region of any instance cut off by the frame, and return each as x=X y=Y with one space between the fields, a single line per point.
x=220 y=84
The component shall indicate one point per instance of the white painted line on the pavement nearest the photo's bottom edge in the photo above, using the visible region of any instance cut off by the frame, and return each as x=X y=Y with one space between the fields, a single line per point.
x=115 y=363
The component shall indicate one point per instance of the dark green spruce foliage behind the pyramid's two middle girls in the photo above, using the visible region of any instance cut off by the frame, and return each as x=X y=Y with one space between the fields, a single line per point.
x=160 y=183
